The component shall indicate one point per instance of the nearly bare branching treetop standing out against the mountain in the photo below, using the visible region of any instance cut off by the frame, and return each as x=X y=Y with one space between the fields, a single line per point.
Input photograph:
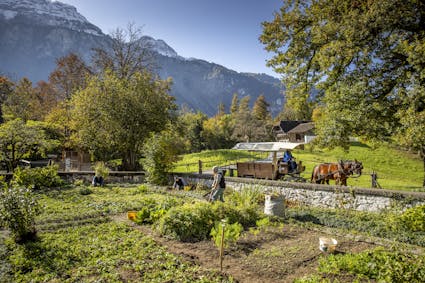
x=129 y=54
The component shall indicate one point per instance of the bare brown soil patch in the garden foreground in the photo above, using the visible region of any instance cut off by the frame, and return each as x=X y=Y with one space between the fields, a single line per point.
x=277 y=254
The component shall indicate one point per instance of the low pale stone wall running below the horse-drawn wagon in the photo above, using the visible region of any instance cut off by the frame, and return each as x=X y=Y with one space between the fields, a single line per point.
x=323 y=195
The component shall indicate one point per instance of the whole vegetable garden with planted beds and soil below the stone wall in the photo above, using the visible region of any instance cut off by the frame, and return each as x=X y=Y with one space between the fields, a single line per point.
x=84 y=235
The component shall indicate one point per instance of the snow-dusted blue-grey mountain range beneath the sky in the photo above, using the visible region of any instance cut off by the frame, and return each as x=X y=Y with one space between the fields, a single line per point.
x=34 y=33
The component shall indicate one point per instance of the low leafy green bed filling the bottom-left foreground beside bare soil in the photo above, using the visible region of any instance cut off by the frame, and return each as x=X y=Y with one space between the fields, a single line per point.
x=108 y=252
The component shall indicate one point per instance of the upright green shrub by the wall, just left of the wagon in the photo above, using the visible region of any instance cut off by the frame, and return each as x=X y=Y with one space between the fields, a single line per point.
x=160 y=153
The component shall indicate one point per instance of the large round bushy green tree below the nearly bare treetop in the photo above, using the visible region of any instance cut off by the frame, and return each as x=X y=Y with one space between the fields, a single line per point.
x=112 y=116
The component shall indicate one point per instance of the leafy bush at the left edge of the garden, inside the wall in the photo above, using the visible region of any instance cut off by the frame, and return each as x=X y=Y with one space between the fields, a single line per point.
x=18 y=208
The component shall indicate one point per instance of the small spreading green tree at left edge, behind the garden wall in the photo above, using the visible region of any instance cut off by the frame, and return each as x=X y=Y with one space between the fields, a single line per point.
x=19 y=139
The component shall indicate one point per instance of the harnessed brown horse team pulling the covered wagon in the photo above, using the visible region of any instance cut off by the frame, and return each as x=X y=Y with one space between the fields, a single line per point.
x=336 y=171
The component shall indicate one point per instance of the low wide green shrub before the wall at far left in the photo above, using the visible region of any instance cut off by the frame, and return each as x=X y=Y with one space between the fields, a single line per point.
x=37 y=178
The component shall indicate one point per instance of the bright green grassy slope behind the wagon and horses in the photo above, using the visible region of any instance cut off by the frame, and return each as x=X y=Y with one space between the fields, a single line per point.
x=397 y=170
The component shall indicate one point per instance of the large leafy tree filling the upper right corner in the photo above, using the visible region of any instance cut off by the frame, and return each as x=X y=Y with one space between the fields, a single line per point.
x=366 y=59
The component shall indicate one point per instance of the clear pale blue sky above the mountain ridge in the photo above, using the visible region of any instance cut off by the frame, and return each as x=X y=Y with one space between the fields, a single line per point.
x=225 y=32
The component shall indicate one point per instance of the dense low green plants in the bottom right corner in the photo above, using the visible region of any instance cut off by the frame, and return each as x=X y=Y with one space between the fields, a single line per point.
x=379 y=265
